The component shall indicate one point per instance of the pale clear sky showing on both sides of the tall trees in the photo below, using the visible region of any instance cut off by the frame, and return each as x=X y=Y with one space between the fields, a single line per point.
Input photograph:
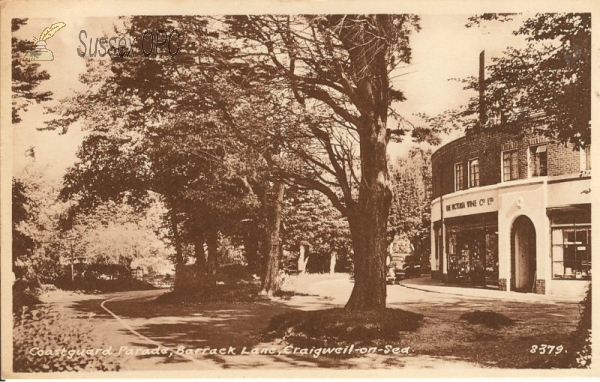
x=443 y=49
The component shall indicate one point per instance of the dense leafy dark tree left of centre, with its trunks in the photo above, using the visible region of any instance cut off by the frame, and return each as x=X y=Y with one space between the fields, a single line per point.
x=152 y=131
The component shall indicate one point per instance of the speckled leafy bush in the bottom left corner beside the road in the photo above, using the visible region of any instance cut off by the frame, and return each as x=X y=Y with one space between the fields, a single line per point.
x=49 y=330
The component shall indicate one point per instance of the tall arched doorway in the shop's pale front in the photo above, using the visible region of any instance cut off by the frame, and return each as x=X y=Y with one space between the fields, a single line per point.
x=523 y=254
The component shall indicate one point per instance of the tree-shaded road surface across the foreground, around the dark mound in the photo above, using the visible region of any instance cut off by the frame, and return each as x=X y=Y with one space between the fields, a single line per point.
x=230 y=335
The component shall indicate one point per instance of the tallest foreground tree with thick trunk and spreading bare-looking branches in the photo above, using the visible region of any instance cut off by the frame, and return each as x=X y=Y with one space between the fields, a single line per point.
x=337 y=68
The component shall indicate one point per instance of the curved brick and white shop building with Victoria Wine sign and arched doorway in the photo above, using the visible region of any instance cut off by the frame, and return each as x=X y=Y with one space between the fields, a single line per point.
x=512 y=213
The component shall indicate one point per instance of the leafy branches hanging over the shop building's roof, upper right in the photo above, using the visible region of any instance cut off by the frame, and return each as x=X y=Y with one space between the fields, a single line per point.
x=545 y=86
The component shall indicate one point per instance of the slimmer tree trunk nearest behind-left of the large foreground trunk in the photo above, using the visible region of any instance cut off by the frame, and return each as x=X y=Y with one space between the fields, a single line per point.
x=270 y=280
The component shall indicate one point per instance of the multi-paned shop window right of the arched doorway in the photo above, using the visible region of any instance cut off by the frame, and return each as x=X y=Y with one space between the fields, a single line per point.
x=571 y=253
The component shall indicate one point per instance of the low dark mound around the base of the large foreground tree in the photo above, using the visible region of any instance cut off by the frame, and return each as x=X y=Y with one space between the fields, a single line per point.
x=341 y=327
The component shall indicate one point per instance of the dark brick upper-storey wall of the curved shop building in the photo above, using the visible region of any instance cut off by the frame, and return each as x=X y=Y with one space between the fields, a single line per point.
x=488 y=147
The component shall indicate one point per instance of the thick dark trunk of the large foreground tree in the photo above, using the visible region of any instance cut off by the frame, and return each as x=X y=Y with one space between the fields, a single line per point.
x=368 y=217
